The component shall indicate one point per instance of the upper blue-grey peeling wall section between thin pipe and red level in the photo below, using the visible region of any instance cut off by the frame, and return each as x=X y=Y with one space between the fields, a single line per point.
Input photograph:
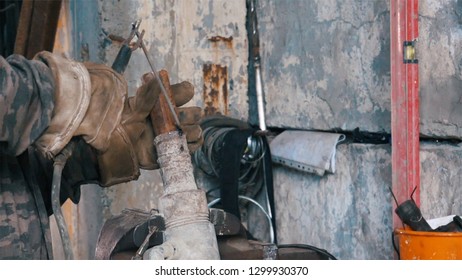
x=328 y=61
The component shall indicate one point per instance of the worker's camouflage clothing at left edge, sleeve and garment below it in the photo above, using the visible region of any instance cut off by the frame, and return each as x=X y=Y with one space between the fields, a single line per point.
x=26 y=105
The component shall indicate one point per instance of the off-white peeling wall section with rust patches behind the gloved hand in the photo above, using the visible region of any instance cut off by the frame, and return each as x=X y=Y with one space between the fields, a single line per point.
x=183 y=37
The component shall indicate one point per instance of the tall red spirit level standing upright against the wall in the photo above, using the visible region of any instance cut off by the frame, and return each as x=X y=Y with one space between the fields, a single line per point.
x=404 y=103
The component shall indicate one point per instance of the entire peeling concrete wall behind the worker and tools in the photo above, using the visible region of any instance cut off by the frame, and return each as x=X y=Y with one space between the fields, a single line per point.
x=325 y=66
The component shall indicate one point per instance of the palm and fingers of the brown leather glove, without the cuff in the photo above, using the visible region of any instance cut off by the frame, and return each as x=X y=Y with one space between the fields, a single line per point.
x=133 y=139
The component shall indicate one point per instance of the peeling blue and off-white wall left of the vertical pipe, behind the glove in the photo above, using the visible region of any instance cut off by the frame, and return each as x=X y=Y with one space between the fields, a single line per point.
x=183 y=37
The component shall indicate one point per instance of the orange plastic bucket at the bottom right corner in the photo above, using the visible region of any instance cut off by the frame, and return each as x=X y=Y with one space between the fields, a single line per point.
x=425 y=245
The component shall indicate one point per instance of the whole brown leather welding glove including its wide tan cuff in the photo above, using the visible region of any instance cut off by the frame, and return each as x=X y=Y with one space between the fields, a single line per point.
x=91 y=102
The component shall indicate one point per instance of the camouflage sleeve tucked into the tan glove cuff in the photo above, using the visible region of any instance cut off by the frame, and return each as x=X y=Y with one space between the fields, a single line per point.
x=26 y=102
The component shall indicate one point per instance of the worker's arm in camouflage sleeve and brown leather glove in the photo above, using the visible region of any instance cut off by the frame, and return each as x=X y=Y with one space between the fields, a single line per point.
x=65 y=100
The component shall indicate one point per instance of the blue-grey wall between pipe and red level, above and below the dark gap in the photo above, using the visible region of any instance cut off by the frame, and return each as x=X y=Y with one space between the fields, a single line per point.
x=326 y=66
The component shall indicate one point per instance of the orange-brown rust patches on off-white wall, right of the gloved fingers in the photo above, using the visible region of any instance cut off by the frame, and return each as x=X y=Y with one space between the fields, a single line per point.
x=215 y=93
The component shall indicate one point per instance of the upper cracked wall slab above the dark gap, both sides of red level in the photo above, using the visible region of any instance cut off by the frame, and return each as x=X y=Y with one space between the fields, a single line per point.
x=330 y=62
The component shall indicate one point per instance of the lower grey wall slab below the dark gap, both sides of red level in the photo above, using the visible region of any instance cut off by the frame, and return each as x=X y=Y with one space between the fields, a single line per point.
x=349 y=213
